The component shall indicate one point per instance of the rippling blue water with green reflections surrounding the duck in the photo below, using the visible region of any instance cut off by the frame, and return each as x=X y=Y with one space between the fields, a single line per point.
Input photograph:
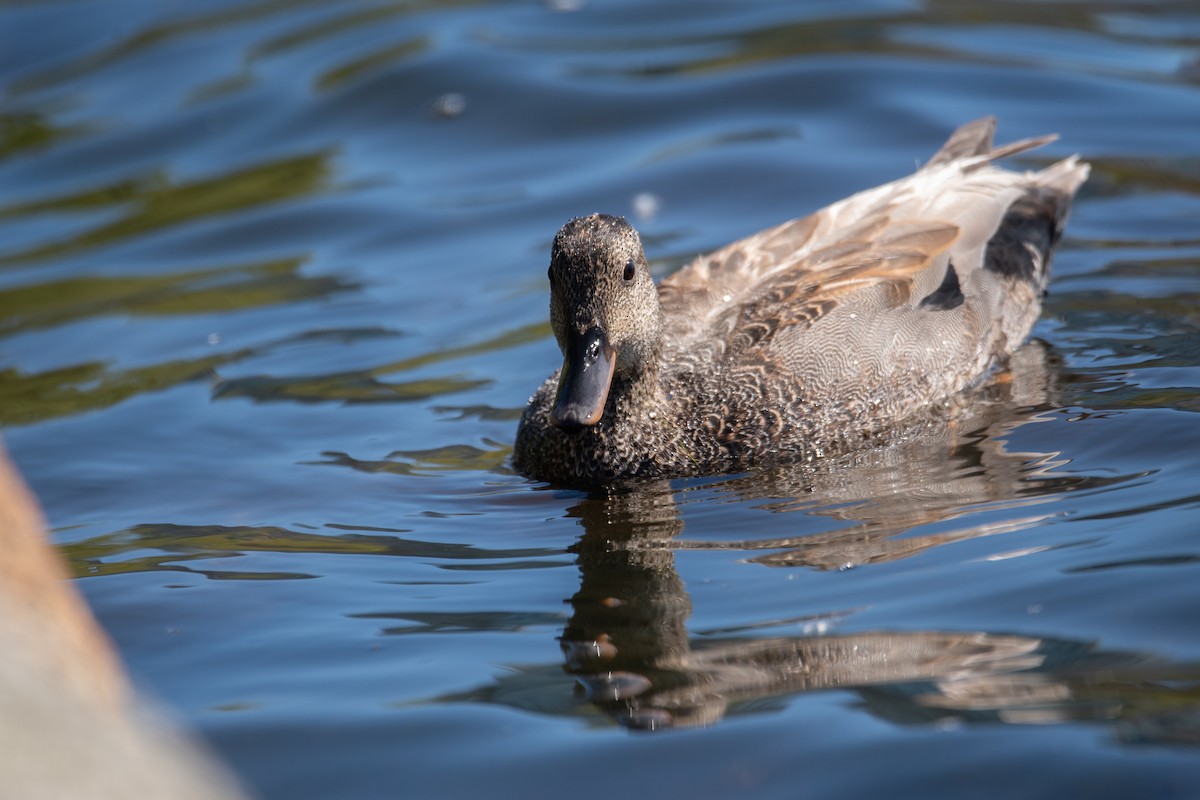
x=273 y=298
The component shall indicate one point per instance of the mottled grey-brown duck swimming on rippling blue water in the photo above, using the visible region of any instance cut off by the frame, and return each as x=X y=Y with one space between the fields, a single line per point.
x=812 y=338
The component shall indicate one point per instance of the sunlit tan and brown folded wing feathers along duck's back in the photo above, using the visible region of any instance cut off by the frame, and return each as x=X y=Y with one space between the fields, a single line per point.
x=793 y=275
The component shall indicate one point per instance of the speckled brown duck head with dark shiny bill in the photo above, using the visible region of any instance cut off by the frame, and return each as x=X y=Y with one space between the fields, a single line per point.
x=604 y=309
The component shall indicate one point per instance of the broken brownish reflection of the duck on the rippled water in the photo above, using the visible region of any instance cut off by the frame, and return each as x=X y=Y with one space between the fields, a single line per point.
x=629 y=647
